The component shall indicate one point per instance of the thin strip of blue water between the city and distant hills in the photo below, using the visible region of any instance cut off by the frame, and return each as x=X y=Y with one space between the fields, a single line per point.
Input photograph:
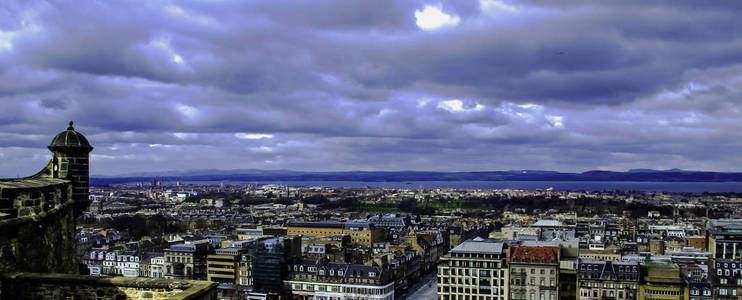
x=679 y=187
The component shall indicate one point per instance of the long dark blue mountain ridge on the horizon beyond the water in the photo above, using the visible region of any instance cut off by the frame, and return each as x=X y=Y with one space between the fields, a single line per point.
x=637 y=175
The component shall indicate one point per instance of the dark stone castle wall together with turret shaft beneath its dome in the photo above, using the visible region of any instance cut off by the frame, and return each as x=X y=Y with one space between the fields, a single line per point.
x=41 y=238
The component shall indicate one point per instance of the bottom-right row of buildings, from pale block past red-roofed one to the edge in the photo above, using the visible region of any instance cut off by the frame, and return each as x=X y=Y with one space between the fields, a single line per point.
x=489 y=269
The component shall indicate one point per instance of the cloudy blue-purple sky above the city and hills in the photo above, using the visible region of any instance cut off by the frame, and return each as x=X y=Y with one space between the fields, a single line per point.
x=335 y=85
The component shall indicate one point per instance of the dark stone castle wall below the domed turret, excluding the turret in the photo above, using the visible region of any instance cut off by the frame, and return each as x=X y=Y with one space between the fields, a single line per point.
x=38 y=226
